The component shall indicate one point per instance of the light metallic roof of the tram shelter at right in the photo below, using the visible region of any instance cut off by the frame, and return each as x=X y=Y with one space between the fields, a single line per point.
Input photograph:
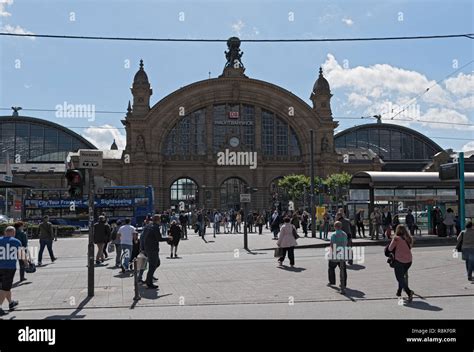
x=406 y=179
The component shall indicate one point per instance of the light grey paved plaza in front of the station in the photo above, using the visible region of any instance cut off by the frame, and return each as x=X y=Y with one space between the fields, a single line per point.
x=219 y=279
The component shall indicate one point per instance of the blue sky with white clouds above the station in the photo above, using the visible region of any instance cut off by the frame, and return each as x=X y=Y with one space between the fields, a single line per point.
x=367 y=78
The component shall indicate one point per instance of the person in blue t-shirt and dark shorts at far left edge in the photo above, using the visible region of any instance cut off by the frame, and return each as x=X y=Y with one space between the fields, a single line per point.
x=13 y=251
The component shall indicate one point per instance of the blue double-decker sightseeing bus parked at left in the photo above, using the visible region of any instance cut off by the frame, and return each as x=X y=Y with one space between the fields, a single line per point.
x=117 y=202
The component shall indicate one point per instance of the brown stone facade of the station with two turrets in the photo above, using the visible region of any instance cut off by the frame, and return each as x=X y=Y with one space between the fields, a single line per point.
x=144 y=161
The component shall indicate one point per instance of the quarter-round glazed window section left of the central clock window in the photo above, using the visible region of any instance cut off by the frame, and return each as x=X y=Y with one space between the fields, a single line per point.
x=188 y=136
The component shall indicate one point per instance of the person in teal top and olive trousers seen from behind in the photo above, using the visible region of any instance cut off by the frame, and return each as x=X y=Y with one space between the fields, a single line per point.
x=339 y=253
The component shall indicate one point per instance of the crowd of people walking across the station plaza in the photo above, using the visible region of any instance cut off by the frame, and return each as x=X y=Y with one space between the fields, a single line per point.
x=171 y=227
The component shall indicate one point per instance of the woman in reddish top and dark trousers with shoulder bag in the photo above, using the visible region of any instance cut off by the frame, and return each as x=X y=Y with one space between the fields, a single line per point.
x=401 y=245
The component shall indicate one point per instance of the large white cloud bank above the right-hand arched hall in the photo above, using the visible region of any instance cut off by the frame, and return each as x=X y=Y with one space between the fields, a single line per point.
x=402 y=94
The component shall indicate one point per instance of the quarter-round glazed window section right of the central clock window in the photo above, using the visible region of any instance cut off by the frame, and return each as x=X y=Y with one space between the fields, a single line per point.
x=278 y=138
